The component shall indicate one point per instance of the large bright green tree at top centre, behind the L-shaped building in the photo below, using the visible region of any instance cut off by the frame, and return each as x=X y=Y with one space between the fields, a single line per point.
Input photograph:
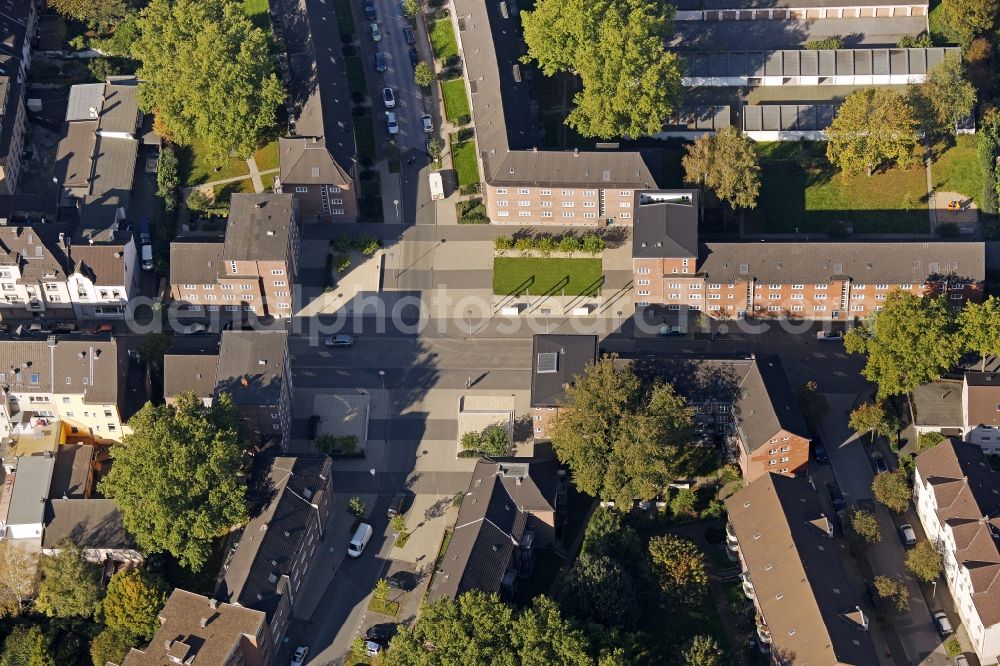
x=630 y=82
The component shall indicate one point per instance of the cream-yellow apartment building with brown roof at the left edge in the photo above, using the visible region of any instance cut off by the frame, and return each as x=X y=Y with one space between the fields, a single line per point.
x=81 y=380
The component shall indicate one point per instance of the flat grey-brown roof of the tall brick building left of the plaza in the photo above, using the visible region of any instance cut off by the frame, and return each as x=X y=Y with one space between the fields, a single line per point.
x=259 y=227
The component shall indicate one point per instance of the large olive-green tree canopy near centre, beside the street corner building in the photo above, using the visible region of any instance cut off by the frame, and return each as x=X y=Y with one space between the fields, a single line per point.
x=621 y=441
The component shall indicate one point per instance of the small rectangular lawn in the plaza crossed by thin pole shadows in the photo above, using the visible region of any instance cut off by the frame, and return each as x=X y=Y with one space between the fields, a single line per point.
x=570 y=277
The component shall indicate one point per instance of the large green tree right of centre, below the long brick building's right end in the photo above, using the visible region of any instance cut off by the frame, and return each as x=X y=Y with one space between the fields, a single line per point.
x=910 y=342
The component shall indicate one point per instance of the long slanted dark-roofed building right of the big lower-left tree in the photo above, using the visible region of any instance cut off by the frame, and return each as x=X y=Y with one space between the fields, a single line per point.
x=285 y=494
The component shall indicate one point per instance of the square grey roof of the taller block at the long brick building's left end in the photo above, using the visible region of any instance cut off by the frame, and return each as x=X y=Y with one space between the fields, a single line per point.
x=666 y=224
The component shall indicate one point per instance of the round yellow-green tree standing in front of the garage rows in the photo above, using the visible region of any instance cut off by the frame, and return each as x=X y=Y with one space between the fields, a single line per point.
x=872 y=127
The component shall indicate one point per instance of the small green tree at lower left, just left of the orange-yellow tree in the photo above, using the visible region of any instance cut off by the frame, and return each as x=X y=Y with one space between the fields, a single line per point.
x=70 y=586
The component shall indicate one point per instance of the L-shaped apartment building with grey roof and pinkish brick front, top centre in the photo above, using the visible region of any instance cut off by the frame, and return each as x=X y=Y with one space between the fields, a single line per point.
x=523 y=184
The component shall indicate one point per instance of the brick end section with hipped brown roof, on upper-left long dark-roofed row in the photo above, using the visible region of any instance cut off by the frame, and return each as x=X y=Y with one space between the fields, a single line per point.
x=323 y=189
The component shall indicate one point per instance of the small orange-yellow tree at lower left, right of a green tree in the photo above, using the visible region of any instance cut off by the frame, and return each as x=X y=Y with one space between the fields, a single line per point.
x=132 y=604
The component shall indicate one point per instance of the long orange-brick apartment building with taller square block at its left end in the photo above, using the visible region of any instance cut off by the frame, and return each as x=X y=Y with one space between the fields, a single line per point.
x=673 y=271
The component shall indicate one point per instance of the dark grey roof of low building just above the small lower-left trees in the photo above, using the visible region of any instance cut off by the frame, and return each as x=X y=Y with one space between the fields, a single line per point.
x=88 y=523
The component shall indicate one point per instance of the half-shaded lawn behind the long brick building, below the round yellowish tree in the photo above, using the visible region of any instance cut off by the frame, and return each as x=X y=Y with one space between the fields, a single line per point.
x=801 y=191
